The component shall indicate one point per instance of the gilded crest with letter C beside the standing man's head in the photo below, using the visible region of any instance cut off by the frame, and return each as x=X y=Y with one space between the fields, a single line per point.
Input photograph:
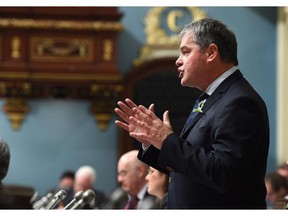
x=159 y=43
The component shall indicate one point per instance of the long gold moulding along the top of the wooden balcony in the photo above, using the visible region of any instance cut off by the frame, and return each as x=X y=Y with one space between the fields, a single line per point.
x=60 y=24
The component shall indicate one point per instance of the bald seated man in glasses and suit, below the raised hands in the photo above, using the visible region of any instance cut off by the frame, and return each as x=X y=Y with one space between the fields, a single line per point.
x=131 y=177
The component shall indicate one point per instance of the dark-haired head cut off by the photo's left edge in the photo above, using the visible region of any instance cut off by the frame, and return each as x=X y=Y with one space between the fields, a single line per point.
x=4 y=159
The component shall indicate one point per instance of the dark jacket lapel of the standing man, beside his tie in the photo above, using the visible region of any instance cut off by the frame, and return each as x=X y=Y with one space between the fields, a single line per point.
x=219 y=91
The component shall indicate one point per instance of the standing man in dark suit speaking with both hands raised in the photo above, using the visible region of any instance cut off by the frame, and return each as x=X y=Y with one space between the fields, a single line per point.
x=219 y=160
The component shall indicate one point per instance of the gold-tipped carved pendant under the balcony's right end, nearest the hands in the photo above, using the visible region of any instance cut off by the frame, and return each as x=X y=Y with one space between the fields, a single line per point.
x=105 y=98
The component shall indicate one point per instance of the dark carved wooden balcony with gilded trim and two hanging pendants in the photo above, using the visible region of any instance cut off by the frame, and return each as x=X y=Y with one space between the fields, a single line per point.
x=59 y=52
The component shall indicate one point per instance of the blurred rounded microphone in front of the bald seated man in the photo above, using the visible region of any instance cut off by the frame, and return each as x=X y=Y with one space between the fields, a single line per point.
x=118 y=199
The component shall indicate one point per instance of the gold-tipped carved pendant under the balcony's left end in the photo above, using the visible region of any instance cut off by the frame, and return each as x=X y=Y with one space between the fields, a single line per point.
x=16 y=109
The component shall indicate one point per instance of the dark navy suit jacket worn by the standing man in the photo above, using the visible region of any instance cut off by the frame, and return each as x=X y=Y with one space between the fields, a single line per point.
x=219 y=162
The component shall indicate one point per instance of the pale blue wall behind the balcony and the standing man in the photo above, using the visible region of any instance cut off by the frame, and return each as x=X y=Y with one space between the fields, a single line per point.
x=62 y=134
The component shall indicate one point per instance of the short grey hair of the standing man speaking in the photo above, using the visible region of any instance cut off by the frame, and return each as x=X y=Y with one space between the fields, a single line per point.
x=206 y=31
